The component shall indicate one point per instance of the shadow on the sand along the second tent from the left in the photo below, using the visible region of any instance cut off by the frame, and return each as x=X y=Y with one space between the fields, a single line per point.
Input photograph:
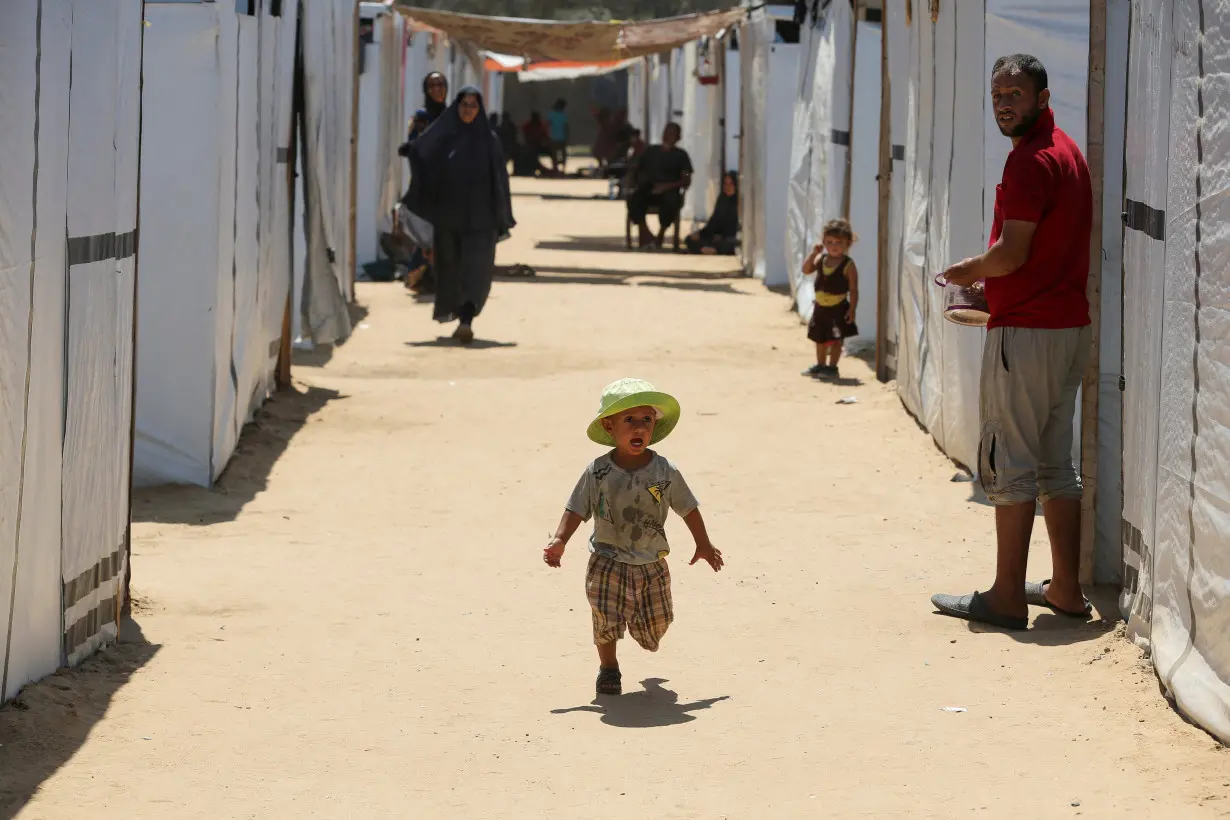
x=260 y=447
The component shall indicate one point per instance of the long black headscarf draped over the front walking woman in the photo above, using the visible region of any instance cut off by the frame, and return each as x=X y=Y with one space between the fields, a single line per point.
x=447 y=162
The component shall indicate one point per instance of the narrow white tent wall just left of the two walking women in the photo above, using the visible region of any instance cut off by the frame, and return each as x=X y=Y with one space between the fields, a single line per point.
x=382 y=128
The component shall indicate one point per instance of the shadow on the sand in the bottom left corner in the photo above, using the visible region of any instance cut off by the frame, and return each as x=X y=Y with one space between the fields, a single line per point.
x=50 y=721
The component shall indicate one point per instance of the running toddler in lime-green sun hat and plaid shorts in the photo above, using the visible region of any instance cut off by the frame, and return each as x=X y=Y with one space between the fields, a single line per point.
x=628 y=492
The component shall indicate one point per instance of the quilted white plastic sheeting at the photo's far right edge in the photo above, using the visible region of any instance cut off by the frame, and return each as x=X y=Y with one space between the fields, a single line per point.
x=1176 y=435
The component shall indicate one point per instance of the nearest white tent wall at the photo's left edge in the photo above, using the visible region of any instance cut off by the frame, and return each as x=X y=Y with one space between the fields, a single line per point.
x=71 y=73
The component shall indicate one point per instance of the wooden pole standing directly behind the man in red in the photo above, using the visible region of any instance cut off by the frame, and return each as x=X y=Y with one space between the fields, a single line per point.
x=1090 y=387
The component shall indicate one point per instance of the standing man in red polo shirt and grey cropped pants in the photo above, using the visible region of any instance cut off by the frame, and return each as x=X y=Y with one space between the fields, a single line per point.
x=1038 y=349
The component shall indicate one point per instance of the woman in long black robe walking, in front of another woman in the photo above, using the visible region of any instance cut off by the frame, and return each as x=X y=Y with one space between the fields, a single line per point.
x=461 y=185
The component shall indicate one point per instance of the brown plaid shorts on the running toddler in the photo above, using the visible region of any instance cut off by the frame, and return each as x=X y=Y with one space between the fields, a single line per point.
x=634 y=594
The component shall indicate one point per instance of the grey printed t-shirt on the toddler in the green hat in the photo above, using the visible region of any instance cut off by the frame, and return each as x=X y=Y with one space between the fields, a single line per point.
x=630 y=508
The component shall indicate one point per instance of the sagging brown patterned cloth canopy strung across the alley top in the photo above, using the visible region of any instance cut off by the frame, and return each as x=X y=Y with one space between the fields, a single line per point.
x=589 y=42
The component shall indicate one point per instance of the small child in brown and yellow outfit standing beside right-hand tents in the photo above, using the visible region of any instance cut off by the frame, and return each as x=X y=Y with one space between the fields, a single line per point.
x=837 y=297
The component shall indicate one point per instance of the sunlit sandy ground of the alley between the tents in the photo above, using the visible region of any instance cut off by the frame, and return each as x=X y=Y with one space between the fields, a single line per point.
x=357 y=623
